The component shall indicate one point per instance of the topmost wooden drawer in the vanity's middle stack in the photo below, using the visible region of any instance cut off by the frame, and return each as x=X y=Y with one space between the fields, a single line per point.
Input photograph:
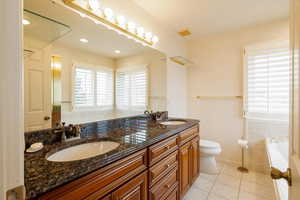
x=162 y=149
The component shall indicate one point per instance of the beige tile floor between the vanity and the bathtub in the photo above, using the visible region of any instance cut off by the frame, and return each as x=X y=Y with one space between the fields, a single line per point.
x=230 y=184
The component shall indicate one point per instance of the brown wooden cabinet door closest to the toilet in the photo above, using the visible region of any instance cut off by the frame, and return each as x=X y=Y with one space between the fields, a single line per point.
x=194 y=159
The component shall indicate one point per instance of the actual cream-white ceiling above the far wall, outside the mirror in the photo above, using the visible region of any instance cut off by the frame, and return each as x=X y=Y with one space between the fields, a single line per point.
x=204 y=17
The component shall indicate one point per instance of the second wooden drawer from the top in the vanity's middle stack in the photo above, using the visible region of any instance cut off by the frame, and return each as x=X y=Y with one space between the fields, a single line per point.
x=162 y=168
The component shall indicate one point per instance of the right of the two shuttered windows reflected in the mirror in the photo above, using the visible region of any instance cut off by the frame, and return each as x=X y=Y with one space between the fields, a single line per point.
x=132 y=89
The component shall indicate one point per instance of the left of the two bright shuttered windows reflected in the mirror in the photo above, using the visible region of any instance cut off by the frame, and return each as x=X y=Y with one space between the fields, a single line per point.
x=93 y=87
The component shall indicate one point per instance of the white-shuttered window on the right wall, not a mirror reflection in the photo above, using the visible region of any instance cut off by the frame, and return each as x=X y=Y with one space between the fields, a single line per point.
x=267 y=76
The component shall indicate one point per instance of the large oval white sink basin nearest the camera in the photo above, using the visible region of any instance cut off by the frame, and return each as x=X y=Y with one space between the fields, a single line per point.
x=83 y=151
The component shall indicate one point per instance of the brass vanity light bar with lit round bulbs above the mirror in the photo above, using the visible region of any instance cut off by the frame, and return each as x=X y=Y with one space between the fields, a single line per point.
x=107 y=18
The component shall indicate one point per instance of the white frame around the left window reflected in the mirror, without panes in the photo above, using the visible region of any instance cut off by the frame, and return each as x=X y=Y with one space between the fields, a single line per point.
x=94 y=68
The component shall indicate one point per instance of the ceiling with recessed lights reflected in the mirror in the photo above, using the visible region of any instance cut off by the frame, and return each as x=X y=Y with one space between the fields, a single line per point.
x=101 y=40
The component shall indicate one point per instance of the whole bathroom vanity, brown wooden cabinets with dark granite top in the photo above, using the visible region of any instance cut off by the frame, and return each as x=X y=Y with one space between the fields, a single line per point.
x=153 y=161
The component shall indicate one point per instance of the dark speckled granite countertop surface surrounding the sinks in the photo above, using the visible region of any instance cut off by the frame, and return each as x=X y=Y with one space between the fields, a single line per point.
x=42 y=175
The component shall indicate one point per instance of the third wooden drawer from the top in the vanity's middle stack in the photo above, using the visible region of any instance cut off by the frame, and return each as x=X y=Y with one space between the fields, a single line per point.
x=164 y=188
